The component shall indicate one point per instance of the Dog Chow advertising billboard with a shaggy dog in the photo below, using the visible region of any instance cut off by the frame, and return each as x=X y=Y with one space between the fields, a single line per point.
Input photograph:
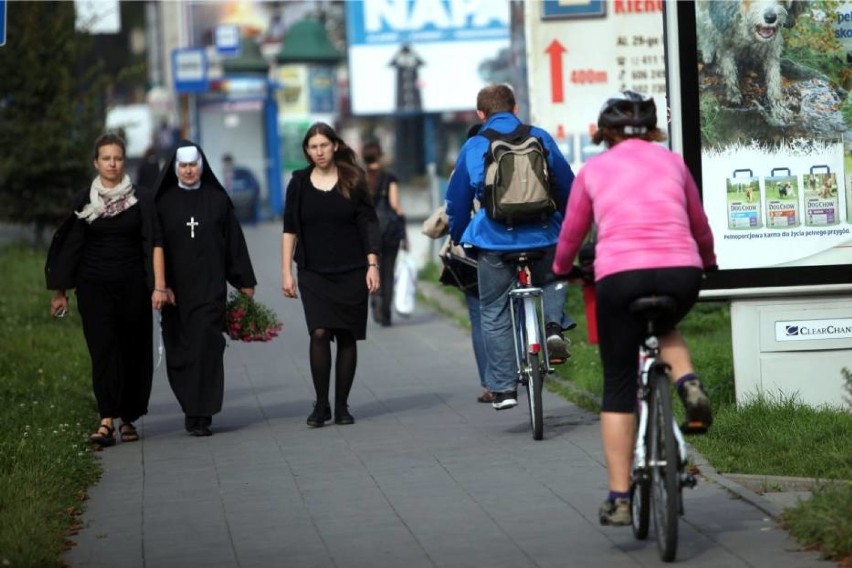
x=764 y=124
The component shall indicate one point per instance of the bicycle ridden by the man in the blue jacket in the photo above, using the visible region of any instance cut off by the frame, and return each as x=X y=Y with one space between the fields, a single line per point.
x=531 y=354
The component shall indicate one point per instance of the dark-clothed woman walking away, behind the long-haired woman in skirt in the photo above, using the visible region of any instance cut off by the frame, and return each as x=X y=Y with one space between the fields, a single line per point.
x=384 y=190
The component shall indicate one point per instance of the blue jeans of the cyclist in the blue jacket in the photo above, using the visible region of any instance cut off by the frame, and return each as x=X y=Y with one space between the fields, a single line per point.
x=496 y=279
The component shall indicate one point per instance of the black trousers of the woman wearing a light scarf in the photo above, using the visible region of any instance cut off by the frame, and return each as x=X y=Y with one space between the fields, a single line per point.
x=118 y=326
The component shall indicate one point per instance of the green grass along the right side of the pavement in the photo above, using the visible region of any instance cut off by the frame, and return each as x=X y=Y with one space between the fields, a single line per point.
x=769 y=435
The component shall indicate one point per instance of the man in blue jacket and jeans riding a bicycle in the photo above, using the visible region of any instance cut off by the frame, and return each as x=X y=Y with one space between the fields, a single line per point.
x=488 y=239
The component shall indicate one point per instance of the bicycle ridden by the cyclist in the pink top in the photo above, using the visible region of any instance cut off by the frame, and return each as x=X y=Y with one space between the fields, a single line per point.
x=659 y=456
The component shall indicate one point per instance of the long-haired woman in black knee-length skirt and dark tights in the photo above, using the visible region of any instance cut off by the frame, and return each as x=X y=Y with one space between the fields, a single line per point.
x=331 y=231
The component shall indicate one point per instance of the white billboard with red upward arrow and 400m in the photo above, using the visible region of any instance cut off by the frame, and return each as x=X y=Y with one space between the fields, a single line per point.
x=580 y=53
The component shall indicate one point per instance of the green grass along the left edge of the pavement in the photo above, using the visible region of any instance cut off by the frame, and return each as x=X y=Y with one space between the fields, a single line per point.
x=48 y=410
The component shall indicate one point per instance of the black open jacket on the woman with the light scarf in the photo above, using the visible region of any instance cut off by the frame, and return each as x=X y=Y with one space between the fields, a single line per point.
x=63 y=257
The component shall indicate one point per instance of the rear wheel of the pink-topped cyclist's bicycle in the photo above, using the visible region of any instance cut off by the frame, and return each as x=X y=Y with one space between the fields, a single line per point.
x=663 y=465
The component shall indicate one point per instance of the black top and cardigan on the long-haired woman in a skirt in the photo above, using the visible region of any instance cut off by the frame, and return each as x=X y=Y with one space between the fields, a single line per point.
x=334 y=234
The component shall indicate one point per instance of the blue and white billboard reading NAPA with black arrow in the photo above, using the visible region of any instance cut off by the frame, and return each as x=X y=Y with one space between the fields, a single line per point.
x=413 y=56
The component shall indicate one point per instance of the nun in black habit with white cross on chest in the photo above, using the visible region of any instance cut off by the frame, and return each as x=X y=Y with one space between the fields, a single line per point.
x=198 y=248
